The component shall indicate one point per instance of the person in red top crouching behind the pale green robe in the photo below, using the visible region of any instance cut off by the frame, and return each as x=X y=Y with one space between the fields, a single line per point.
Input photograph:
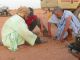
x=32 y=20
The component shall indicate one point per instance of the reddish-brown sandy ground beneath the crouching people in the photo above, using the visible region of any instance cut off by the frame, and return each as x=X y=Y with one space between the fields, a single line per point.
x=50 y=50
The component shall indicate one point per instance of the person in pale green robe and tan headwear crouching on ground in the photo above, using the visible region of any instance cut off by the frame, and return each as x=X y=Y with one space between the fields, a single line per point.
x=15 y=32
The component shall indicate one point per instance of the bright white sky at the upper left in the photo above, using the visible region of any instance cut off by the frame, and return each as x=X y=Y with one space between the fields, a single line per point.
x=13 y=4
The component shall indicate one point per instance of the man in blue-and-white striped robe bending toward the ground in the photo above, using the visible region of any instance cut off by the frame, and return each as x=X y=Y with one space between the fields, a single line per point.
x=67 y=21
